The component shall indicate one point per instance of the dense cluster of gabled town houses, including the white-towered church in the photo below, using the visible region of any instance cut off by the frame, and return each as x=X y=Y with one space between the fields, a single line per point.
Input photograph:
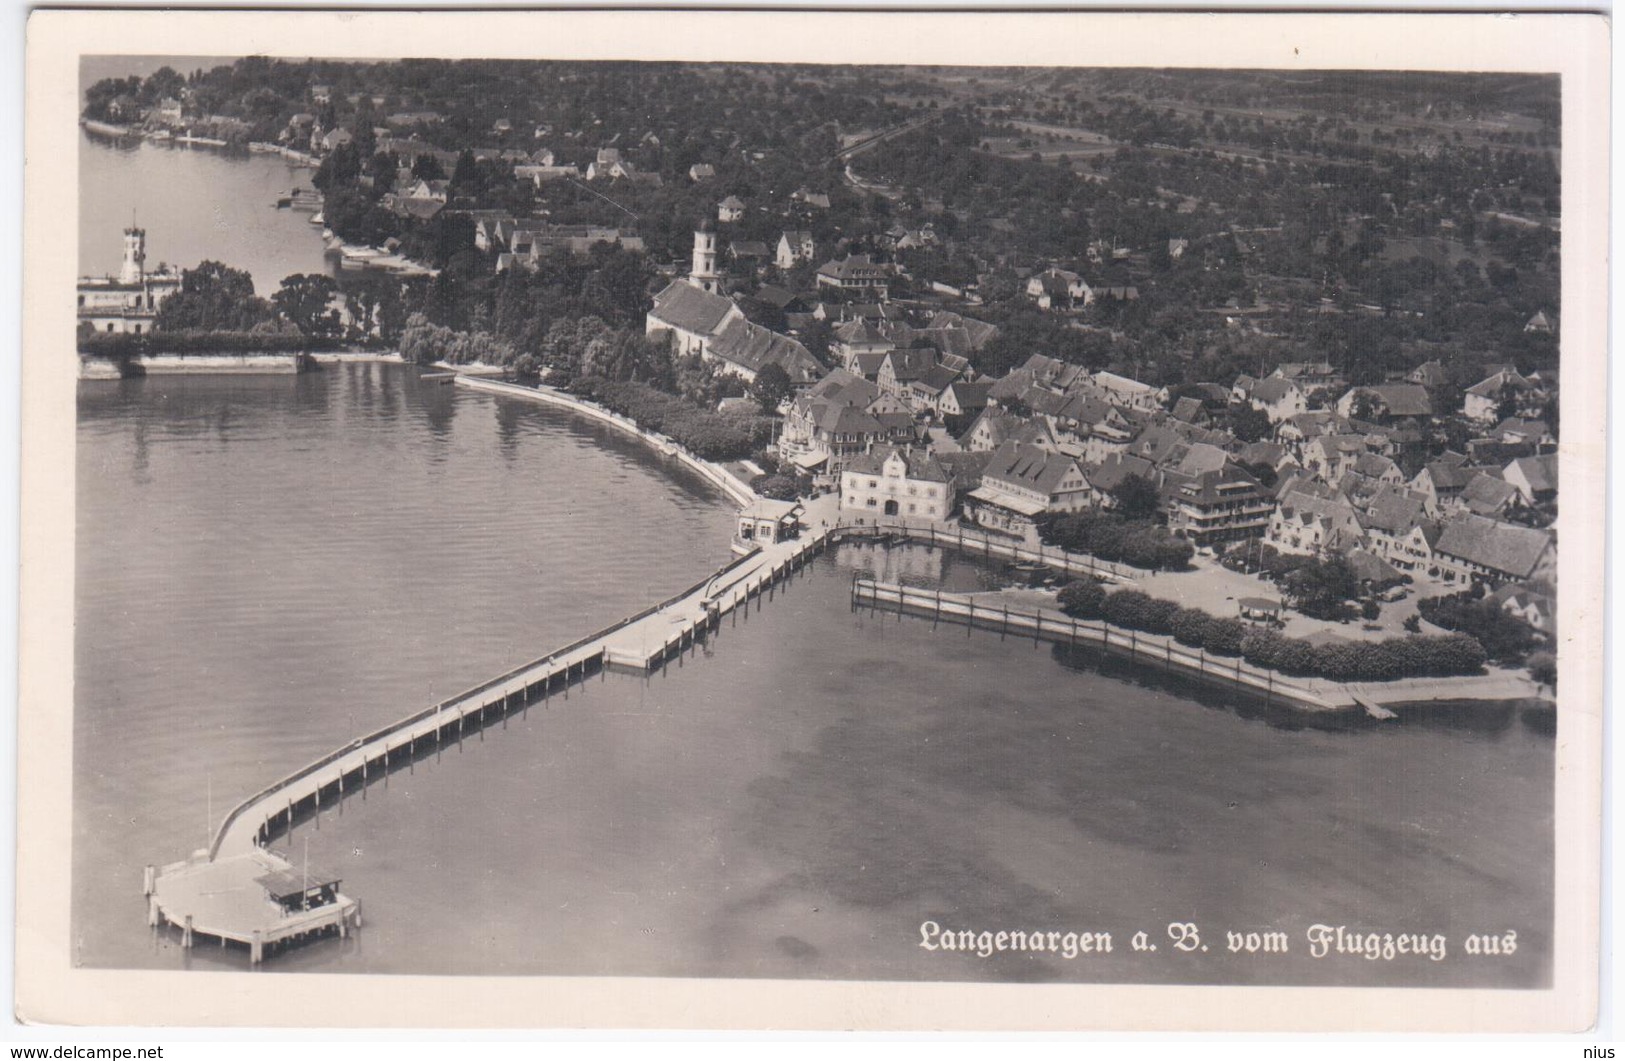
x=1346 y=470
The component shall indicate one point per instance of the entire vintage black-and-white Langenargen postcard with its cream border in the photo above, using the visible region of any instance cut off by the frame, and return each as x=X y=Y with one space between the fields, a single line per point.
x=820 y=522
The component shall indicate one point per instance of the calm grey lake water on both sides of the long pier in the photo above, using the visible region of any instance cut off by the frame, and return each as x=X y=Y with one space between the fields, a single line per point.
x=271 y=566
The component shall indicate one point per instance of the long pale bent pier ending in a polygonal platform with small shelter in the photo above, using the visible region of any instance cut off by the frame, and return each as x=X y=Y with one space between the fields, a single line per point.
x=188 y=893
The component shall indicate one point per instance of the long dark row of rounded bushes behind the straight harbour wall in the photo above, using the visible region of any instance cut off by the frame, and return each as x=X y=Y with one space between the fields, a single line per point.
x=1385 y=660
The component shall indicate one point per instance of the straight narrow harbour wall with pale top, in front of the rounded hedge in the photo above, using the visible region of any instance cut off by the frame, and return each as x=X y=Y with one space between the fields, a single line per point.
x=1054 y=626
